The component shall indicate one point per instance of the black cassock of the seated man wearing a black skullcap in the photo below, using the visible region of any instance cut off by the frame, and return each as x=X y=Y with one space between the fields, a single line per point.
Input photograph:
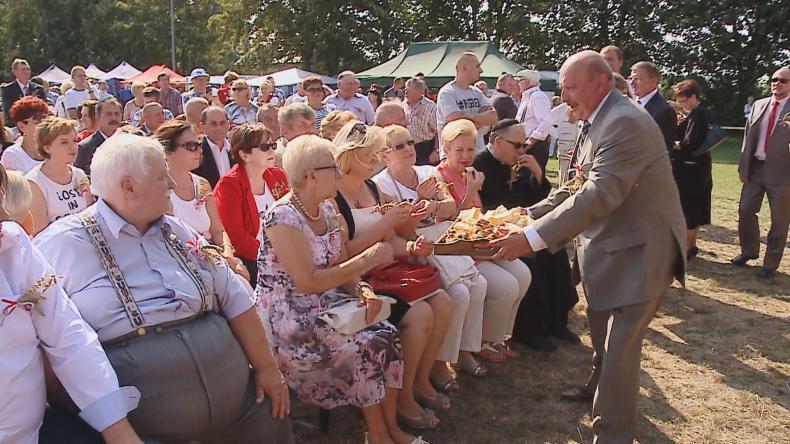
x=551 y=294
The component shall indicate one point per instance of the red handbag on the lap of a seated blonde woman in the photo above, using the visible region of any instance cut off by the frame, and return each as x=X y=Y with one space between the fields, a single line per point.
x=407 y=281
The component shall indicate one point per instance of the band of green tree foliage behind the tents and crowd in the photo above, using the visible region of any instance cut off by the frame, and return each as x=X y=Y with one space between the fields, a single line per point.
x=727 y=44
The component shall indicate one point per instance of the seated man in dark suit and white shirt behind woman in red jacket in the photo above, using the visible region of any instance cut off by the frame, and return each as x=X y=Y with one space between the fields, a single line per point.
x=217 y=159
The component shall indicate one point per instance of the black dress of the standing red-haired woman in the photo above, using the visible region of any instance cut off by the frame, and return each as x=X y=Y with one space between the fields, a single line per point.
x=693 y=174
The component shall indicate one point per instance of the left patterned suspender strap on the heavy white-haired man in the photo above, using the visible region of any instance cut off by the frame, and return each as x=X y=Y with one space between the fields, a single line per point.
x=114 y=274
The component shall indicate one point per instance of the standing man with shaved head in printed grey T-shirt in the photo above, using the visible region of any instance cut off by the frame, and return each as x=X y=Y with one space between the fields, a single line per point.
x=459 y=99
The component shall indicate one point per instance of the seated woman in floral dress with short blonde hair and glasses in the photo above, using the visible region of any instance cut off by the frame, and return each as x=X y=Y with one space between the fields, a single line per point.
x=301 y=263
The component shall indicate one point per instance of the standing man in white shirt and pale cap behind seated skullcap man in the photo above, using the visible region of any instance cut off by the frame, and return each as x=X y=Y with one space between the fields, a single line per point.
x=535 y=113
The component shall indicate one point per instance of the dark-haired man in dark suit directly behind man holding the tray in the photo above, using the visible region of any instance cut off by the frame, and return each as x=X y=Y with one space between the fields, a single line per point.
x=644 y=81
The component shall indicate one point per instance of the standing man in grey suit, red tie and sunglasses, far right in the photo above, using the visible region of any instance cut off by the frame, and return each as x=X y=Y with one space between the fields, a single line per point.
x=763 y=168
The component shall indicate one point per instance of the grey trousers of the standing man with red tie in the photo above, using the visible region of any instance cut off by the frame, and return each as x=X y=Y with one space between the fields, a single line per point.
x=748 y=225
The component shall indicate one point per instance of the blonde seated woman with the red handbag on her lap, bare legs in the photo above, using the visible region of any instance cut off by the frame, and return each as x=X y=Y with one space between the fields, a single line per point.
x=422 y=325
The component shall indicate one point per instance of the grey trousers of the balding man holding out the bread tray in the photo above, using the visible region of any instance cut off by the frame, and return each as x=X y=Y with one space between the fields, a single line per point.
x=617 y=336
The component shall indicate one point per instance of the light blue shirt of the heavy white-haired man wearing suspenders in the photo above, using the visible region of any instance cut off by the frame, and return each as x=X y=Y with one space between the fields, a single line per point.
x=162 y=290
